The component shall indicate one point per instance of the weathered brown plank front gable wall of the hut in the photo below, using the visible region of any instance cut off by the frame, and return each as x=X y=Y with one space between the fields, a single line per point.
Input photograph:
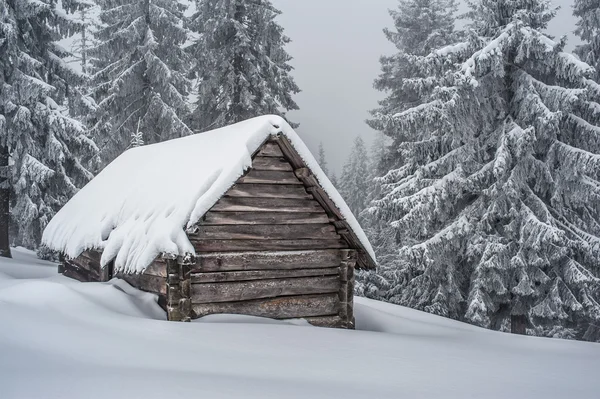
x=269 y=248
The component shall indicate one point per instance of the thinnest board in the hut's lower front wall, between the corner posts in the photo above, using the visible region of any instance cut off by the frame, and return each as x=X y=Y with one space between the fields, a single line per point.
x=213 y=277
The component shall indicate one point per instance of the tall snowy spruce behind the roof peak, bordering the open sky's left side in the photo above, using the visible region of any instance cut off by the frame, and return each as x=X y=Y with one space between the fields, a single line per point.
x=243 y=67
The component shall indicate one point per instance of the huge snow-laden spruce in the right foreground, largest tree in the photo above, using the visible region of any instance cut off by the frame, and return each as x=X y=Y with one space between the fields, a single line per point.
x=499 y=221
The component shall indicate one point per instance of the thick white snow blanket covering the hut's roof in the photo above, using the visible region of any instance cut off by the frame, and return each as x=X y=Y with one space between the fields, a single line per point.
x=140 y=205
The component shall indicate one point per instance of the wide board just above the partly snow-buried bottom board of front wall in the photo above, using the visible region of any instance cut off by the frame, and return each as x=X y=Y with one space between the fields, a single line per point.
x=276 y=308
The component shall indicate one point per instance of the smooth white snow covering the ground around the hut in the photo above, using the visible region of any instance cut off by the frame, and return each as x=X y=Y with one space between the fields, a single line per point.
x=63 y=339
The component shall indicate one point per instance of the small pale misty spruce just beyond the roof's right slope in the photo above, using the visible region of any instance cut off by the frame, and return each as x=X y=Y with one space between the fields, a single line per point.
x=354 y=182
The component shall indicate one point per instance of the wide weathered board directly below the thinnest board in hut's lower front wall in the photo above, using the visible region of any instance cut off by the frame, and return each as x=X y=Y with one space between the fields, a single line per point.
x=257 y=289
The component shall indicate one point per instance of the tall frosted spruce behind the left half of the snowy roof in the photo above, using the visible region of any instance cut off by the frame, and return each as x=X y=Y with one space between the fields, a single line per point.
x=139 y=73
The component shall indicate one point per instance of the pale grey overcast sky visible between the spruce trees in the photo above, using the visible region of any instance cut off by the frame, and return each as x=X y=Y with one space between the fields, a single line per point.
x=336 y=48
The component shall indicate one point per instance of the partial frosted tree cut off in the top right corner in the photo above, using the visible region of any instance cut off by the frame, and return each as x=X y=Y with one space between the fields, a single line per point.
x=588 y=29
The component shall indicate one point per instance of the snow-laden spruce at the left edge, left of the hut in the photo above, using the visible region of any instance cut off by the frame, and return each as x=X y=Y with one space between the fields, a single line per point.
x=40 y=146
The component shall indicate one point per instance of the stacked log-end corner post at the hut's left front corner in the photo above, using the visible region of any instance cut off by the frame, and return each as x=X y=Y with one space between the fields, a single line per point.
x=179 y=284
